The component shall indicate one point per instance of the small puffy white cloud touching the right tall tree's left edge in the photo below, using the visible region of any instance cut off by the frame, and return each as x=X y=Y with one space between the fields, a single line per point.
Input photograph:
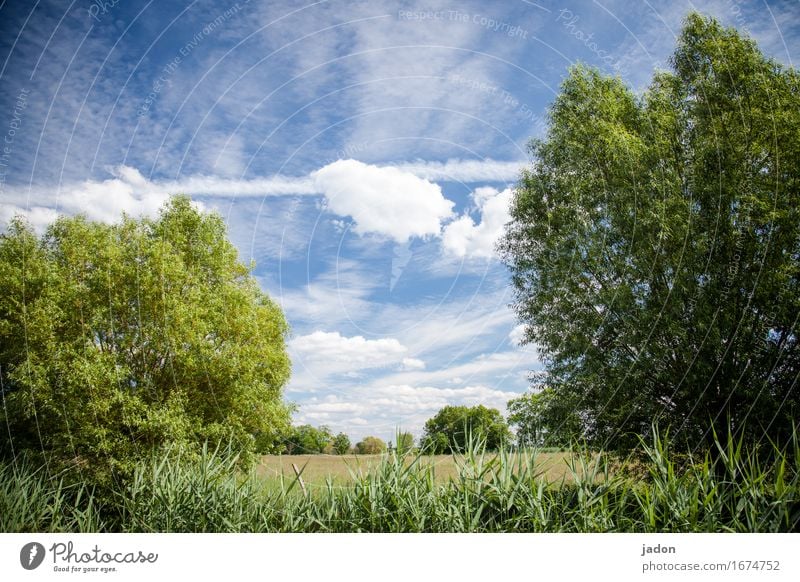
x=464 y=238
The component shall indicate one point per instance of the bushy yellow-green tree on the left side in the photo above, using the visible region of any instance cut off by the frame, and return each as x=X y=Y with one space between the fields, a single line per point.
x=117 y=339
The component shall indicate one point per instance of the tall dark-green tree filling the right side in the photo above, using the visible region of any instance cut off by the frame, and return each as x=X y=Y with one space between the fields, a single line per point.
x=654 y=245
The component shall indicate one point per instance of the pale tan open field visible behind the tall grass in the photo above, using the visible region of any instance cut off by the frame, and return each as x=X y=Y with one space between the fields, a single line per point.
x=340 y=469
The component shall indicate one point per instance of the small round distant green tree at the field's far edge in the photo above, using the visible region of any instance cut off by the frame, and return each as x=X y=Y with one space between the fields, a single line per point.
x=453 y=426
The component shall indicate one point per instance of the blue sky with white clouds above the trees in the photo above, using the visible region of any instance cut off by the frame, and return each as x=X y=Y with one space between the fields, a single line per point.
x=363 y=155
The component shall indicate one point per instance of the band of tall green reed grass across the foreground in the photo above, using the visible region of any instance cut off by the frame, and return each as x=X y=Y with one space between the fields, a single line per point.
x=734 y=489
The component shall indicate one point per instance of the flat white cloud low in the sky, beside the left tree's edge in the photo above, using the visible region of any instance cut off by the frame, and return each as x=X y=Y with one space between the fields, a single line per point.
x=356 y=352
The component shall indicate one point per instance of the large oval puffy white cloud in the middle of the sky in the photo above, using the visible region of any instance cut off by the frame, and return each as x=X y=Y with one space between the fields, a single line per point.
x=383 y=200
